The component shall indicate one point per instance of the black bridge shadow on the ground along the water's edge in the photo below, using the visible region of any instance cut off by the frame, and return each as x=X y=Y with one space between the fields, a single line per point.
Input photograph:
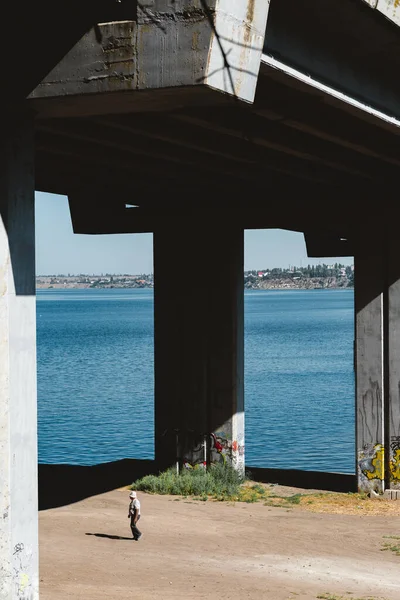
x=60 y=485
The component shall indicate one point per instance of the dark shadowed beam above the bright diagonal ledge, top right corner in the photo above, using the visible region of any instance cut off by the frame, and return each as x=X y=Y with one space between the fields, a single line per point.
x=330 y=42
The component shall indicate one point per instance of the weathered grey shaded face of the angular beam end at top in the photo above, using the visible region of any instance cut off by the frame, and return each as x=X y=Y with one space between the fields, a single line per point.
x=129 y=55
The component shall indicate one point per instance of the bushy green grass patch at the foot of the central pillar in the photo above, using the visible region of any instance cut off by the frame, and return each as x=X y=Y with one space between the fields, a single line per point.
x=221 y=482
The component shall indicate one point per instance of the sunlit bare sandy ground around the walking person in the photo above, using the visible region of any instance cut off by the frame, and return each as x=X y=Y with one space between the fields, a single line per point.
x=210 y=550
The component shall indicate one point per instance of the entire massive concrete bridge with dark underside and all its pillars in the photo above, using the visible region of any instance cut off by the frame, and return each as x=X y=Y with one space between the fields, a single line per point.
x=208 y=118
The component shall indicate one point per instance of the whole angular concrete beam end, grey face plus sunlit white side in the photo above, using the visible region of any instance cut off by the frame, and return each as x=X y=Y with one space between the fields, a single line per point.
x=174 y=46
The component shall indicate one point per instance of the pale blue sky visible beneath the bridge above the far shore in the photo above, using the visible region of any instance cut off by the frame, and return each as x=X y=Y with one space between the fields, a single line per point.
x=59 y=250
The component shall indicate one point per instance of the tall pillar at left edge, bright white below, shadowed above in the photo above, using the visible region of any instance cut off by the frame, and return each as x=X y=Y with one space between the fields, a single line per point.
x=18 y=429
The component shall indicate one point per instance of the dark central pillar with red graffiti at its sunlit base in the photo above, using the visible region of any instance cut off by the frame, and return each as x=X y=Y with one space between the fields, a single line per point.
x=199 y=340
